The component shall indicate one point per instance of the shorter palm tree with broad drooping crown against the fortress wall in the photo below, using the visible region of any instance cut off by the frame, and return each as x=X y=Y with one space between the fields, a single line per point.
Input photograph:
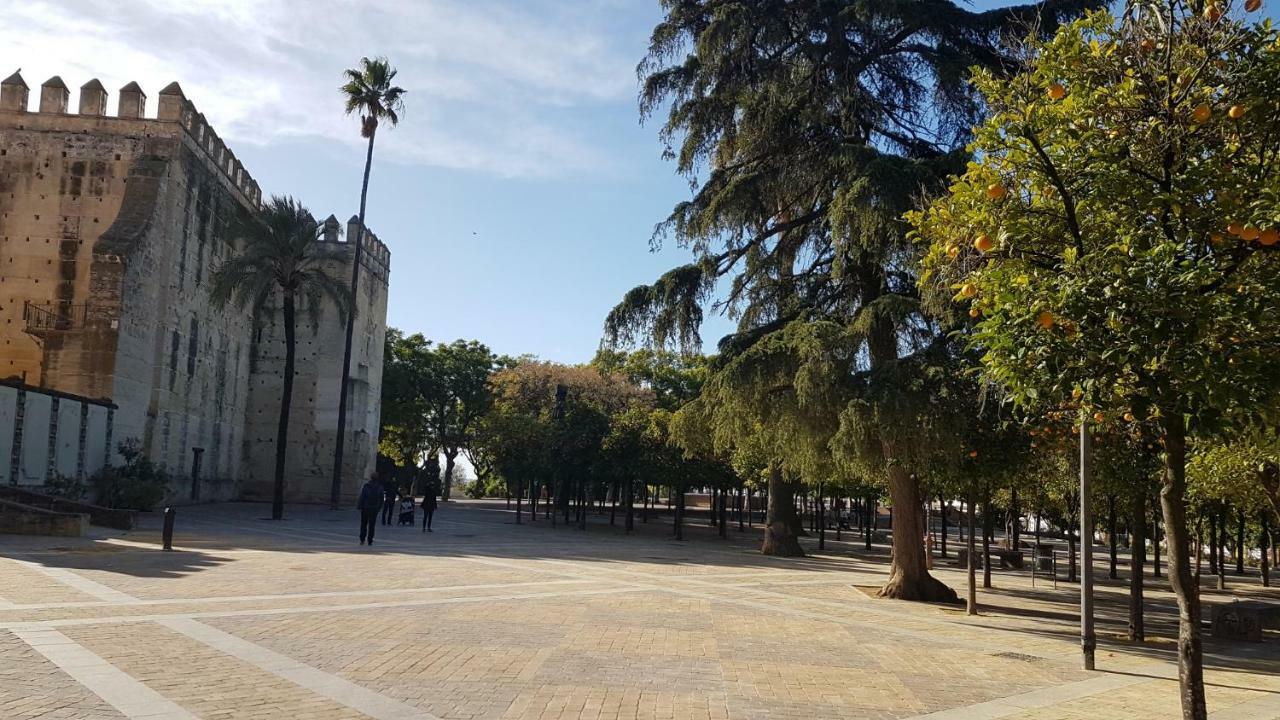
x=281 y=261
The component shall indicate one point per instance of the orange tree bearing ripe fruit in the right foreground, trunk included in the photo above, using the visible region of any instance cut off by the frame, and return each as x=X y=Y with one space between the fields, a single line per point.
x=1117 y=235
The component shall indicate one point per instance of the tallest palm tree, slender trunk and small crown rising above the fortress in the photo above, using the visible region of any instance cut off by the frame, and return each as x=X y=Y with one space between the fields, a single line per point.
x=371 y=94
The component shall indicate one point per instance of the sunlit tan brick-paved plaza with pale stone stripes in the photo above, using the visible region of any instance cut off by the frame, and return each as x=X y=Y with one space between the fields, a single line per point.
x=488 y=619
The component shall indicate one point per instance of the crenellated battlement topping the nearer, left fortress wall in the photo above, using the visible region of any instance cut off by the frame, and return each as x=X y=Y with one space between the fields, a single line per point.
x=173 y=107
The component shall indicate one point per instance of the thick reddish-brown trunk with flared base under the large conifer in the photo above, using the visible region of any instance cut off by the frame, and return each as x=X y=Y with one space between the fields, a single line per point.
x=908 y=577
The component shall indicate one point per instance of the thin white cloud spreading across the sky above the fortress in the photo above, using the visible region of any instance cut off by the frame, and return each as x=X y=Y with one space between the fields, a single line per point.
x=491 y=85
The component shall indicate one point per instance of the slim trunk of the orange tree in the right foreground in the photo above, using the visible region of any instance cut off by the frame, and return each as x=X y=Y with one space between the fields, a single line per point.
x=1173 y=500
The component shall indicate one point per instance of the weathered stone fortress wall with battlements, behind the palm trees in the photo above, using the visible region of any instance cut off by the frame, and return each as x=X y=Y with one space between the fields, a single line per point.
x=109 y=231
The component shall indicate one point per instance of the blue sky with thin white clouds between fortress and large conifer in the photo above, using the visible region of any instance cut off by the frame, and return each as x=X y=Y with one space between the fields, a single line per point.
x=520 y=192
